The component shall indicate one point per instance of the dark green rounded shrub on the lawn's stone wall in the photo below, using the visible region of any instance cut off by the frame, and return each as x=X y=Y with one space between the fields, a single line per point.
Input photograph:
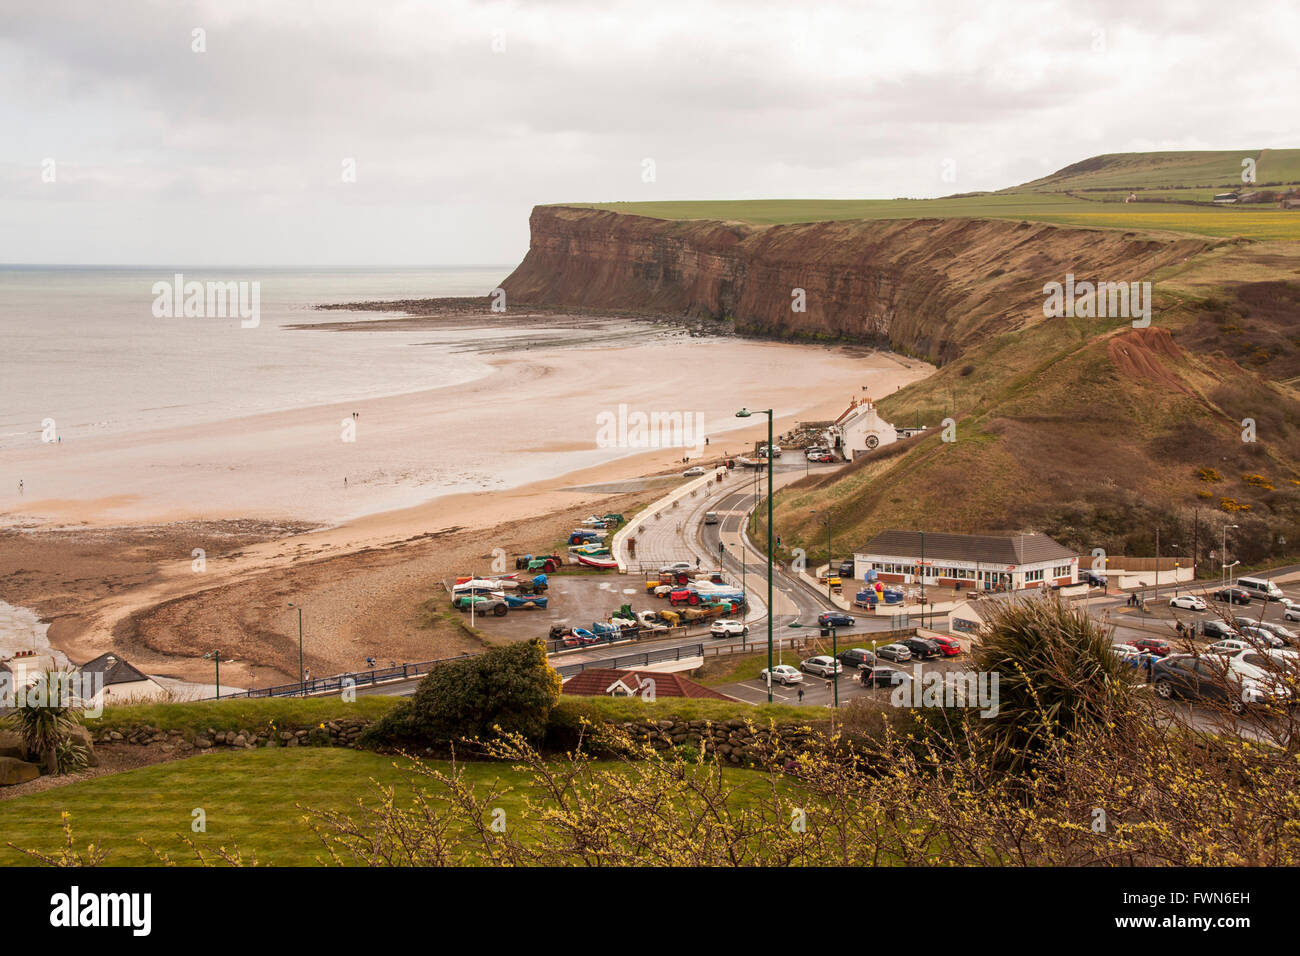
x=512 y=690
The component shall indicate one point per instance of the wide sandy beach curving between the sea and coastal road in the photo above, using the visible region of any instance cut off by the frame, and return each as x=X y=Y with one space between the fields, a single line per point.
x=103 y=542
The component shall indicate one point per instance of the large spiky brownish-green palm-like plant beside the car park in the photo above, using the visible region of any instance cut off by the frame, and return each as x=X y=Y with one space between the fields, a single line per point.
x=1058 y=677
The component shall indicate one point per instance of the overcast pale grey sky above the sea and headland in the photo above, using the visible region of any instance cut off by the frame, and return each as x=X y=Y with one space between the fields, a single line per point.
x=402 y=133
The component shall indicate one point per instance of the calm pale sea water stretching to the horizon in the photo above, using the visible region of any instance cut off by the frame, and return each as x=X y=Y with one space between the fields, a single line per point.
x=83 y=347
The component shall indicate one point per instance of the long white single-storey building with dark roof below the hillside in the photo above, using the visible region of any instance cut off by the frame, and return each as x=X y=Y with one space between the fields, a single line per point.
x=985 y=563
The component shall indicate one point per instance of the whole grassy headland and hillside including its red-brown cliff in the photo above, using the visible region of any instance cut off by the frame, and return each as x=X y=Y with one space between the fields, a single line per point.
x=1059 y=421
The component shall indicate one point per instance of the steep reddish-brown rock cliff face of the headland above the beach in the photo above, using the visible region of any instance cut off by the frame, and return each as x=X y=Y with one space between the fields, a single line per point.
x=930 y=288
